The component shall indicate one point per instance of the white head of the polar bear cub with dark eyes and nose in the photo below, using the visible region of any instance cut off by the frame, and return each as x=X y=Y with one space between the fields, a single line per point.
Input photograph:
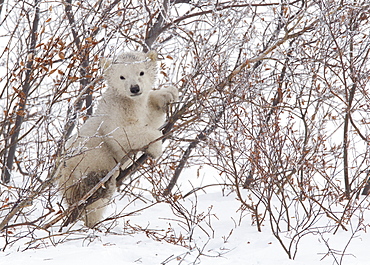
x=131 y=74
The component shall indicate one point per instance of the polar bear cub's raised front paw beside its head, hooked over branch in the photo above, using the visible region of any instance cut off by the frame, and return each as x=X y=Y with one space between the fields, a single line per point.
x=159 y=99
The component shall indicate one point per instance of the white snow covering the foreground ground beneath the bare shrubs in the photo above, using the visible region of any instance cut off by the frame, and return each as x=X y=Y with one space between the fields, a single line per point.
x=221 y=240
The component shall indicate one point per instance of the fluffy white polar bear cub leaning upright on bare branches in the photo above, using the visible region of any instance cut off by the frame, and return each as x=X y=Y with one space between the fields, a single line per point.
x=127 y=118
